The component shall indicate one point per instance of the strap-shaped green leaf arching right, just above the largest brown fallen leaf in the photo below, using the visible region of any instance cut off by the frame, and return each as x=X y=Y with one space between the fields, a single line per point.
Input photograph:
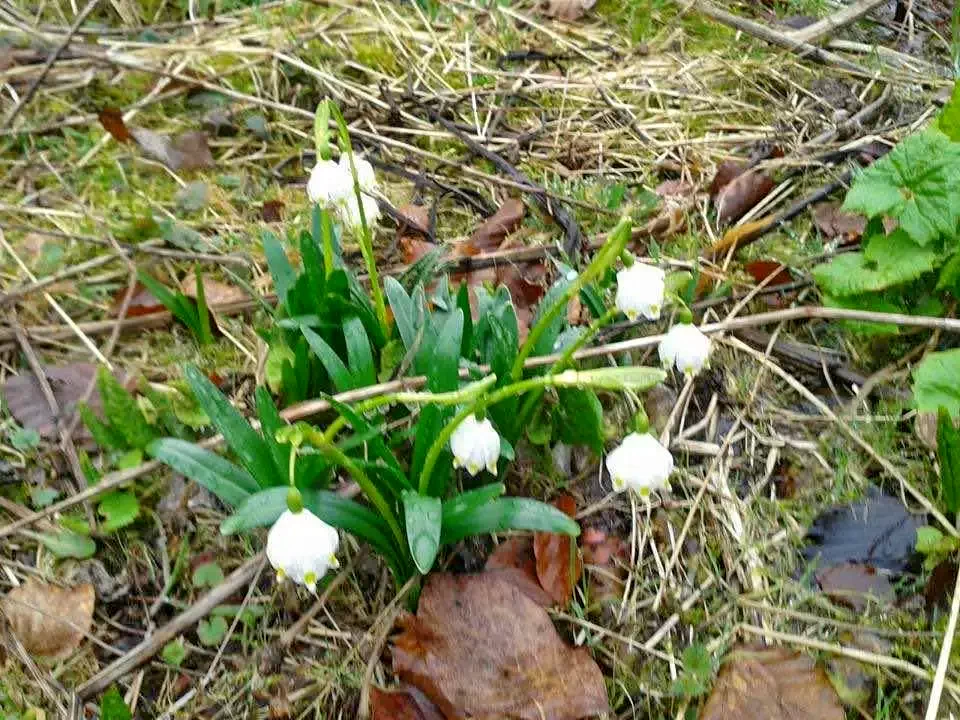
x=507 y=514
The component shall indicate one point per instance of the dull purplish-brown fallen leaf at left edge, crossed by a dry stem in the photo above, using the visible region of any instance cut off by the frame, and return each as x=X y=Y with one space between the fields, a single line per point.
x=69 y=383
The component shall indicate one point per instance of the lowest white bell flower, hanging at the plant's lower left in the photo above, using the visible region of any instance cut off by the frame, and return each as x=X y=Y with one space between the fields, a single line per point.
x=302 y=548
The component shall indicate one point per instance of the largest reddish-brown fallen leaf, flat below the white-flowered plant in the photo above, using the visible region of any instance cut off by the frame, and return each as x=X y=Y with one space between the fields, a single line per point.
x=479 y=648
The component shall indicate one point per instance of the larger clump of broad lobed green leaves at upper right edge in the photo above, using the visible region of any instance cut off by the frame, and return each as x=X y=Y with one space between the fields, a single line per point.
x=906 y=269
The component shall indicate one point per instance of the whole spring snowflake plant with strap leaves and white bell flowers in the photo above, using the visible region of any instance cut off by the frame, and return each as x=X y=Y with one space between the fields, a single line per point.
x=479 y=400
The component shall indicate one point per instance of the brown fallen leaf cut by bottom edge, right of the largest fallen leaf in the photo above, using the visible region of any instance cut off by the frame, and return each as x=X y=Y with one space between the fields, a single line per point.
x=757 y=683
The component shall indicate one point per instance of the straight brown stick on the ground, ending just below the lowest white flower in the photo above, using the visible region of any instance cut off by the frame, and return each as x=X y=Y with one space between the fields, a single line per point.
x=149 y=647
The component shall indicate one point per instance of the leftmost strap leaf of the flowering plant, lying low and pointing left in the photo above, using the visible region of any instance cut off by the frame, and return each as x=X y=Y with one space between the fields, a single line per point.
x=232 y=484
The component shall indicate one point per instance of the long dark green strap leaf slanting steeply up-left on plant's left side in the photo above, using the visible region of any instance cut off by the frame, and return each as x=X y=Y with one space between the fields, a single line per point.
x=244 y=441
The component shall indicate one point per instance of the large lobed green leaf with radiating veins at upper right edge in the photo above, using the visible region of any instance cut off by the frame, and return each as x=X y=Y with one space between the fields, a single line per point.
x=916 y=183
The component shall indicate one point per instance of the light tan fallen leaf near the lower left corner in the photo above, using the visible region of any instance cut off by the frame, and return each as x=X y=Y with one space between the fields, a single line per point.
x=49 y=621
